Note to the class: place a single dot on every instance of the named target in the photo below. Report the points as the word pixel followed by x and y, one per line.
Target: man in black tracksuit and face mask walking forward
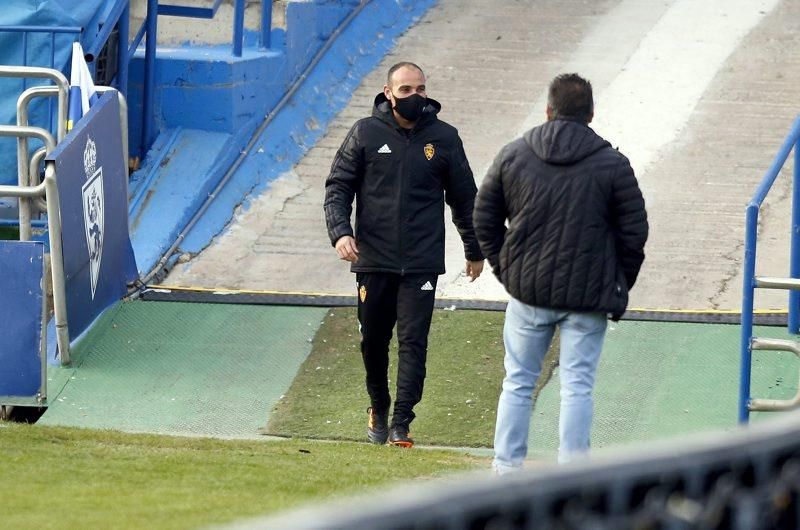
pixel 401 165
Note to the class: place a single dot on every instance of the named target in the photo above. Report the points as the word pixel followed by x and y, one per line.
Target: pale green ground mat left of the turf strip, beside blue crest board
pixel 178 368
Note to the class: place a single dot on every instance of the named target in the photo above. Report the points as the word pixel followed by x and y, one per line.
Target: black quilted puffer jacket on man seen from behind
pixel 577 223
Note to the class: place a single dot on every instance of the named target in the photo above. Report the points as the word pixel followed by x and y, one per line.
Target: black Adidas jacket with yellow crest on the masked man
pixel 401 181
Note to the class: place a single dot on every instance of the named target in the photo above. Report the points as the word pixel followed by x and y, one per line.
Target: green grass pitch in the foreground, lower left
pixel 72 478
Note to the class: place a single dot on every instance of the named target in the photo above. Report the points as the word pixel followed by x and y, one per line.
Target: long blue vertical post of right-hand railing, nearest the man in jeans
pixel 748 291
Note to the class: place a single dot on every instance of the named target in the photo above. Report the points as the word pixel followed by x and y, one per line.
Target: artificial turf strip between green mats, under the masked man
pixel 464 374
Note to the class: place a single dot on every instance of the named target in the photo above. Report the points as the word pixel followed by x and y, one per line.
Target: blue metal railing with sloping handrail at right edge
pixel 750 282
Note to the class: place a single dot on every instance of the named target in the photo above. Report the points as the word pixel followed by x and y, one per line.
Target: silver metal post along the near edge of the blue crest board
pixel 57 262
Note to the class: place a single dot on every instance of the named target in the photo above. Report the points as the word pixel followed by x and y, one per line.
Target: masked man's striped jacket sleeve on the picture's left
pixel 341 186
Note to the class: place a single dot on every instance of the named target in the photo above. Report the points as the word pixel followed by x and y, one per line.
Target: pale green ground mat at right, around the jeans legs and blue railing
pixel 661 379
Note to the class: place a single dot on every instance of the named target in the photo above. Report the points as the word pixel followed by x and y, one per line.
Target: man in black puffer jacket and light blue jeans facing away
pixel 570 254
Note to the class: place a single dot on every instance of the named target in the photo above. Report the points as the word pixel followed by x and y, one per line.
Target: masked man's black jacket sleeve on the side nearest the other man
pixel 460 190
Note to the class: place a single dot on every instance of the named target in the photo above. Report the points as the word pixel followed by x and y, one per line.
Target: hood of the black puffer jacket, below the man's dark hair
pixel 563 141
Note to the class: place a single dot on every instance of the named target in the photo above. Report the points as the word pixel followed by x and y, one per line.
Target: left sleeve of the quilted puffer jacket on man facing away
pixel 490 214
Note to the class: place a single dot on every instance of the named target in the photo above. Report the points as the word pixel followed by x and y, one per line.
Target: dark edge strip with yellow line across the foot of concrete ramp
pixel 209 296
